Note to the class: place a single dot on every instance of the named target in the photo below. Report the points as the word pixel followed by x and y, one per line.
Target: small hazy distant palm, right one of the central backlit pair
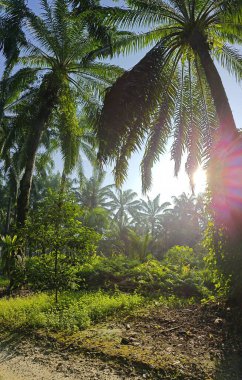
pixel 152 211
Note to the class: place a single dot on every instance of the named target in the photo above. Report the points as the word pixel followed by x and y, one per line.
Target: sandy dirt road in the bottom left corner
pixel 21 360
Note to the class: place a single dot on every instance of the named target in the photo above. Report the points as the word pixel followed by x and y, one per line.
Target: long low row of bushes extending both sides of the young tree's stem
pixel 182 272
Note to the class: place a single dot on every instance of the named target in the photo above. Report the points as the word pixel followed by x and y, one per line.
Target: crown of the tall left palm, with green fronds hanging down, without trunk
pixel 57 50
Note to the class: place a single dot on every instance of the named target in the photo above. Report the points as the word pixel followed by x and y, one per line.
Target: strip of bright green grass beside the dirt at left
pixel 74 310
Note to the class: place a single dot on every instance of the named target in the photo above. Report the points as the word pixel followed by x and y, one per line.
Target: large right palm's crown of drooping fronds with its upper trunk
pixel 177 77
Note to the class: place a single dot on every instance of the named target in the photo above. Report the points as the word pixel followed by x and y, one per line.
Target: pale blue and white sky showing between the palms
pixel 164 181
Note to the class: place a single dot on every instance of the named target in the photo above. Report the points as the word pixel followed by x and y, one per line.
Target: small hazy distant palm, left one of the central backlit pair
pixel 122 204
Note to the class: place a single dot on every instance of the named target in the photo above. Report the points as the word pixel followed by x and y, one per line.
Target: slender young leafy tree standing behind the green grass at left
pixel 58 241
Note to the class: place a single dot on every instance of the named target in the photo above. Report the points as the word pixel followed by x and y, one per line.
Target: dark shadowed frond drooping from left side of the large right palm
pixel 128 103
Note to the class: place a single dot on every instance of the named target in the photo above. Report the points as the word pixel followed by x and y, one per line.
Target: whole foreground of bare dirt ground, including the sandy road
pixel 195 342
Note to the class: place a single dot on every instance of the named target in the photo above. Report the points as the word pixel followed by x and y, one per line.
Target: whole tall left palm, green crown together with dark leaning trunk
pixel 58 51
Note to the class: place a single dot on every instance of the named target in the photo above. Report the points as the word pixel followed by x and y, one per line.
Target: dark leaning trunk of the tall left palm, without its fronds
pixel 44 104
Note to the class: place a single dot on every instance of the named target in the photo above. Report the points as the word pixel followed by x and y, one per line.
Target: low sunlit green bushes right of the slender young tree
pixel 181 272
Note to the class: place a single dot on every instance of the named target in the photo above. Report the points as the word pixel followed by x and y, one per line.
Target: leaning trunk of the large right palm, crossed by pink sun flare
pixel 225 176
